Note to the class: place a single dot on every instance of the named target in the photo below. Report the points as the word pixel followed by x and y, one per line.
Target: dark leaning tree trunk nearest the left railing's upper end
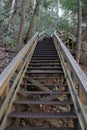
pixel 32 21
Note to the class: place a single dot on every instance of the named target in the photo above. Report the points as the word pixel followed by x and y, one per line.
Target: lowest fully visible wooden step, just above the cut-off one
pixel 43 115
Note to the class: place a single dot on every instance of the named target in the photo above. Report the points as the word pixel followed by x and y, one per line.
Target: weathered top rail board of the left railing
pixel 11 68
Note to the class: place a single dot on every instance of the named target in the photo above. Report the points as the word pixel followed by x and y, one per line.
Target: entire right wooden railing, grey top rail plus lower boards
pixel 75 78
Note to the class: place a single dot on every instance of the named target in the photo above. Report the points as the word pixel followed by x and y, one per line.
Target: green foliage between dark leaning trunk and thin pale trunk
pixel 47 16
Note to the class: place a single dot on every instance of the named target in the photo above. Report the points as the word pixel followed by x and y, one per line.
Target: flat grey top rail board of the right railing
pixel 77 71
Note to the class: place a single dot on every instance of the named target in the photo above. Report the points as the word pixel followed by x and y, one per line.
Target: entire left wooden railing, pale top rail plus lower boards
pixel 24 57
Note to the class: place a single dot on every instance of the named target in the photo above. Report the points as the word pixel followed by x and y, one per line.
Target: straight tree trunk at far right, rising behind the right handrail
pixel 79 31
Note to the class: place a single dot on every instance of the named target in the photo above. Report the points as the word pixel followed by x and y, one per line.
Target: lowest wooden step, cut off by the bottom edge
pixel 38 128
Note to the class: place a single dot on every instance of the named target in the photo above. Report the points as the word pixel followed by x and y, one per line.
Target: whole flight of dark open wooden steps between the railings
pixel 44 101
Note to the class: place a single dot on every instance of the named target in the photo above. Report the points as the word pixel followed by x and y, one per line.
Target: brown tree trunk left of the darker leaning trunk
pixel 21 29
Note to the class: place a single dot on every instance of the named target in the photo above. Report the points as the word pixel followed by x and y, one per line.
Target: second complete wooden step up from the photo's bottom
pixel 27 102
